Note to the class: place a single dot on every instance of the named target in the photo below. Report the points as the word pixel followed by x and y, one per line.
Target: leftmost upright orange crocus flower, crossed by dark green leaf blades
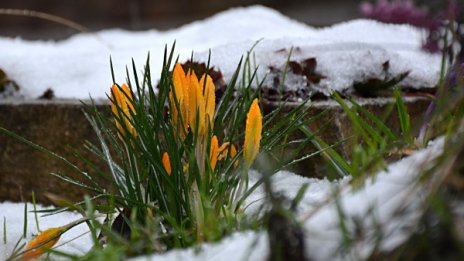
pixel 122 99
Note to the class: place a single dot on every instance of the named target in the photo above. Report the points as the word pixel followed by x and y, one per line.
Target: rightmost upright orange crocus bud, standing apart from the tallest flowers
pixel 253 131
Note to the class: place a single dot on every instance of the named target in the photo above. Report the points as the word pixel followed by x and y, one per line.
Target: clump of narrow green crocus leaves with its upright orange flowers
pixel 178 159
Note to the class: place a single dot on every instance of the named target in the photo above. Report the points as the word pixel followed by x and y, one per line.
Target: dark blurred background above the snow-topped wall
pixel 155 14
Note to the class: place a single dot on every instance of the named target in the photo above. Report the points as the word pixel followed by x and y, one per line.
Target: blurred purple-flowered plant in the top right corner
pixel 445 22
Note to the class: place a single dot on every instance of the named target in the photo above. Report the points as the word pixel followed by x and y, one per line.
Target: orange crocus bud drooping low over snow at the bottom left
pixel 42 243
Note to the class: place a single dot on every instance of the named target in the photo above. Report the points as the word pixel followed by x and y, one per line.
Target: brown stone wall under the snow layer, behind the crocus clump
pixel 60 126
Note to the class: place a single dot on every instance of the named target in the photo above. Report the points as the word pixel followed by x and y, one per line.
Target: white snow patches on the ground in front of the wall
pixel 373 207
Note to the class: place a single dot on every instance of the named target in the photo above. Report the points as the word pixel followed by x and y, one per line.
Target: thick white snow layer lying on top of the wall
pixel 346 53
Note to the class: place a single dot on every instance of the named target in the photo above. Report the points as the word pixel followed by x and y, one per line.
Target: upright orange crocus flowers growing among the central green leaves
pixel 193 105
